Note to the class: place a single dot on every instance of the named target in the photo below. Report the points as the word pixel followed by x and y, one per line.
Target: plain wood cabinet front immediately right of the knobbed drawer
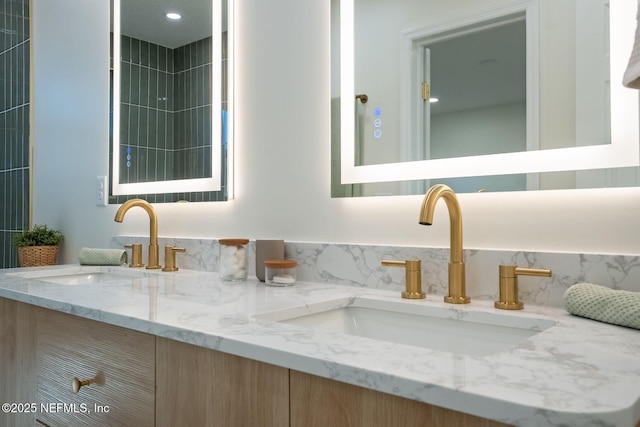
pixel 202 387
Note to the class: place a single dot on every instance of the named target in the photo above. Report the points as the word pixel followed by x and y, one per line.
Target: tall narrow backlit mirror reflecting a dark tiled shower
pixel 172 103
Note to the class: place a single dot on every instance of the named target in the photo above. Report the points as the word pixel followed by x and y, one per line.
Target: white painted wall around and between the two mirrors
pixel 283 152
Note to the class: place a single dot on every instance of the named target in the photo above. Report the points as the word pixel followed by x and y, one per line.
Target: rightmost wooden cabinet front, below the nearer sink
pixel 320 402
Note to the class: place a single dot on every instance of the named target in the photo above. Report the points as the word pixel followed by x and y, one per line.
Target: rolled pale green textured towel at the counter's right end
pixel 604 304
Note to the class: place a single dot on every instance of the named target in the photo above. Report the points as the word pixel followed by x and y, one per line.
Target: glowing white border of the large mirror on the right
pixel 624 150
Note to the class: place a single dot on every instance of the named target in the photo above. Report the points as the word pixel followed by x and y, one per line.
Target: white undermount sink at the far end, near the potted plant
pixel 79 275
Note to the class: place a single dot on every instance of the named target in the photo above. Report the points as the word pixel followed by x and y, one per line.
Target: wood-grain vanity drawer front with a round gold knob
pixel 119 362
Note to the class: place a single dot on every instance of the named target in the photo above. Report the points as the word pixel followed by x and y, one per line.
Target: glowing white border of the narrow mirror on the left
pixel 212 183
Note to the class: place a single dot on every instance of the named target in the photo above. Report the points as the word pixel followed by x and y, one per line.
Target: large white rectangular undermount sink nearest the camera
pixel 455 330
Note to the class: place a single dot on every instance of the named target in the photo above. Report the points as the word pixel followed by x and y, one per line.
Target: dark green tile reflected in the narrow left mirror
pixel 165 117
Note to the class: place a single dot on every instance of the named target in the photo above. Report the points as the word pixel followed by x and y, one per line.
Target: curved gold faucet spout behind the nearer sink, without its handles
pixel 457 290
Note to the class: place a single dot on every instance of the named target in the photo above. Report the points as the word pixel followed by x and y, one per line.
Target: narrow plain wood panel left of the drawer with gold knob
pixel 17 360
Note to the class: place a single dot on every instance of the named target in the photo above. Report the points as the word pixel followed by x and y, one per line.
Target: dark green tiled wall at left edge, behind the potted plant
pixel 14 125
